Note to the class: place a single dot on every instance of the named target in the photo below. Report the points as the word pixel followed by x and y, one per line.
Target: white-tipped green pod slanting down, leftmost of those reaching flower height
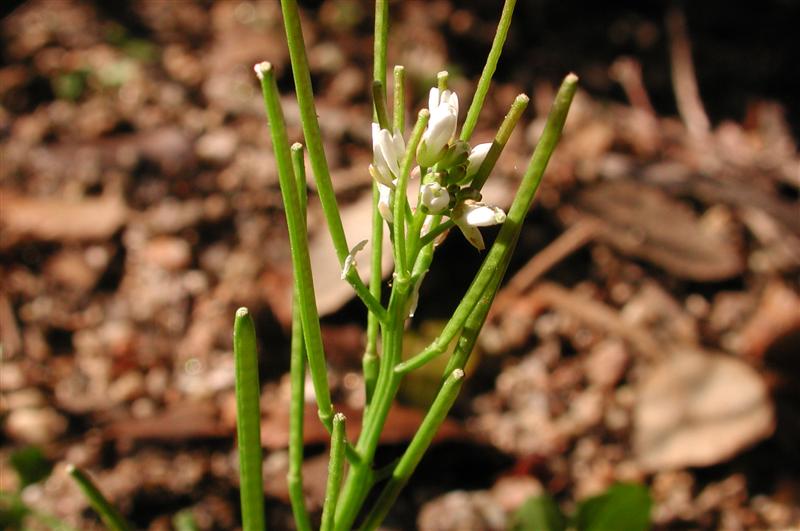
pixel 298 241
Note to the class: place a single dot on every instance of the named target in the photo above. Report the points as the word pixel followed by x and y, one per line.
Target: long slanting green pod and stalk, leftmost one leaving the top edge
pixel 316 152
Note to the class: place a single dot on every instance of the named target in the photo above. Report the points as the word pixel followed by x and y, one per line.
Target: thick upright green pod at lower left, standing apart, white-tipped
pixel 248 421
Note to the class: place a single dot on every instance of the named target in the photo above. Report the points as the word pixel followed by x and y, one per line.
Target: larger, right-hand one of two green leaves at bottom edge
pixel 623 507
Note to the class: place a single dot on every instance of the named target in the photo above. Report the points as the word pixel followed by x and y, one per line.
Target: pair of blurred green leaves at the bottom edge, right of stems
pixel 623 507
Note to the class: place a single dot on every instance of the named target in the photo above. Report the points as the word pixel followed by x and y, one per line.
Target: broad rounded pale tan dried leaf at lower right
pixel 699 409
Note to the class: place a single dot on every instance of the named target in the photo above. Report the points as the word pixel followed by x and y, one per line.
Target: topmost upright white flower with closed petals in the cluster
pixel 441 128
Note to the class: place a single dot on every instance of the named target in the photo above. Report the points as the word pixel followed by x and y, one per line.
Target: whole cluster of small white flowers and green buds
pixel 447 167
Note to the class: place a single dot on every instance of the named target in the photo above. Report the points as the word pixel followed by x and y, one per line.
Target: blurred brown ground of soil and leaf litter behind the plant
pixel 648 331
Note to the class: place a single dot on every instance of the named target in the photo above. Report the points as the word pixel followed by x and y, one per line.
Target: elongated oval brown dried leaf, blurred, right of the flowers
pixel 641 221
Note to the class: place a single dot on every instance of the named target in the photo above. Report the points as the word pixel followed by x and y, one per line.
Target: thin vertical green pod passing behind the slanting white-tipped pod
pixel 297 372
